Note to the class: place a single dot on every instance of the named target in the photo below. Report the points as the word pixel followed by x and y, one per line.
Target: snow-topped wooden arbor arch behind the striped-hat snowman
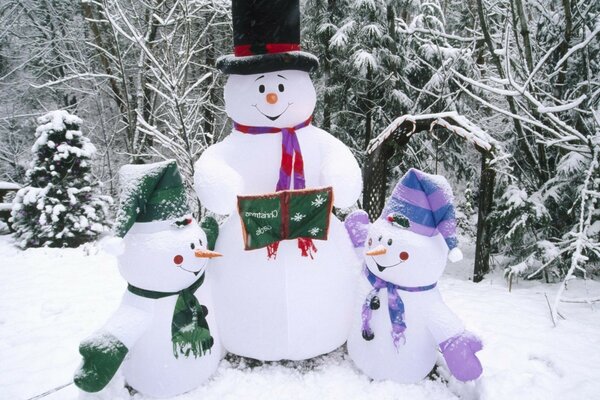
pixel 400 131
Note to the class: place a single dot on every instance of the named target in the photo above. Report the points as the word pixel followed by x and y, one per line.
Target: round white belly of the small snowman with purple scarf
pixel 379 358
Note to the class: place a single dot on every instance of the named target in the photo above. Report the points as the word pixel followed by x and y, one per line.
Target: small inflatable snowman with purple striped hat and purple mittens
pixel 403 320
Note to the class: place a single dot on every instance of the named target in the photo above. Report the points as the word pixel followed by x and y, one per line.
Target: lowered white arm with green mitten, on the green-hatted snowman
pixel 104 351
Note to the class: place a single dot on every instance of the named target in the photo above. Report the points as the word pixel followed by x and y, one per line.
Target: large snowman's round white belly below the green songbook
pixel 290 307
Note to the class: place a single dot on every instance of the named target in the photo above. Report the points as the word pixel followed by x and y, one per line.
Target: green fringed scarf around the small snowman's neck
pixel 189 330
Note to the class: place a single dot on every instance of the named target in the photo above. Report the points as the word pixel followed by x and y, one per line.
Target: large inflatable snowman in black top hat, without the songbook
pixel 297 303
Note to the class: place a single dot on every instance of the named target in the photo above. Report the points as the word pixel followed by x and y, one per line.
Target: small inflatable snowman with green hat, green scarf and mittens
pixel 162 339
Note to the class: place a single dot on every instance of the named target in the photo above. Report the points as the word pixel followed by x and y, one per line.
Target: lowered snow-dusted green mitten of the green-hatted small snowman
pixel 102 357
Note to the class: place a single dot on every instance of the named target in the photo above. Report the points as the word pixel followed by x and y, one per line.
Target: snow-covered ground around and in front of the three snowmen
pixel 50 299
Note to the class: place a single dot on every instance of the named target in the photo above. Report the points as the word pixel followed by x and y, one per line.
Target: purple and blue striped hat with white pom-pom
pixel 424 200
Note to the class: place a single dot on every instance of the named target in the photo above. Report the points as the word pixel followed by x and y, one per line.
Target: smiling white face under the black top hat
pixel 278 99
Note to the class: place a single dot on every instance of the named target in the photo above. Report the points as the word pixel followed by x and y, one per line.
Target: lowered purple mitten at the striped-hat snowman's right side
pixel 459 353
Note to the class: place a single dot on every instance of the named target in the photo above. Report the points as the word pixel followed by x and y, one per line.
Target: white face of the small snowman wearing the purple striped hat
pixel 402 257
